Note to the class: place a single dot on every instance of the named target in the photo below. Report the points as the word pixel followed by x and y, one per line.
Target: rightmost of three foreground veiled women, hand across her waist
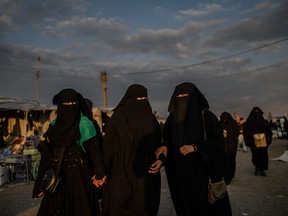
pixel 194 138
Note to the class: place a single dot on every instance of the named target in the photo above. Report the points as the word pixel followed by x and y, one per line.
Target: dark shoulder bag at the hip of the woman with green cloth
pixel 49 182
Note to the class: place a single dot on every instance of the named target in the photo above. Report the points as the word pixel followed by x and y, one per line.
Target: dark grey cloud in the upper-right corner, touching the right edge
pixel 256 28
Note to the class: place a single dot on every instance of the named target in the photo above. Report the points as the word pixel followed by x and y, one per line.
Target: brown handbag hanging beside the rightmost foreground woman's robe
pixel 216 191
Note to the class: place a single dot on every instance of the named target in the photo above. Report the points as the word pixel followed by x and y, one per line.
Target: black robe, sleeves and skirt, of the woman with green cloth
pixel 76 194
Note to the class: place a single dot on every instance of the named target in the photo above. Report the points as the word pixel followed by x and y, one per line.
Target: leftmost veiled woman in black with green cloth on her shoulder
pixel 72 129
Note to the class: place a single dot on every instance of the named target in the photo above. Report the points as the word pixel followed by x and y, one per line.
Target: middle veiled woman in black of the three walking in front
pixel 132 136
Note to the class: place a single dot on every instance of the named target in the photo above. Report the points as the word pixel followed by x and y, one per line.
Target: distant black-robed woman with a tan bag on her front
pixel 256 126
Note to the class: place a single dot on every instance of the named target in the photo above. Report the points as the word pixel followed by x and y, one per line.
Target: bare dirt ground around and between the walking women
pixel 249 195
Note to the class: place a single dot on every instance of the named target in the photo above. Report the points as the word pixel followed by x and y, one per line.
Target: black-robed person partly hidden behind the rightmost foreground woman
pixel 231 133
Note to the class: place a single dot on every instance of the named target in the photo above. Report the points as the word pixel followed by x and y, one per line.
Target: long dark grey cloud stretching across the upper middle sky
pixel 114 35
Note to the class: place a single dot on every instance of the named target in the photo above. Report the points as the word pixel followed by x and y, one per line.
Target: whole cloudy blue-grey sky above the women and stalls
pixel 236 52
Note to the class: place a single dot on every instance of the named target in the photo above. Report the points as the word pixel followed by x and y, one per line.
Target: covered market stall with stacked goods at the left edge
pixel 23 124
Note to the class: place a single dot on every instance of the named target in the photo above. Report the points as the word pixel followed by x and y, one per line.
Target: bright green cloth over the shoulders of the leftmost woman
pixel 87 130
